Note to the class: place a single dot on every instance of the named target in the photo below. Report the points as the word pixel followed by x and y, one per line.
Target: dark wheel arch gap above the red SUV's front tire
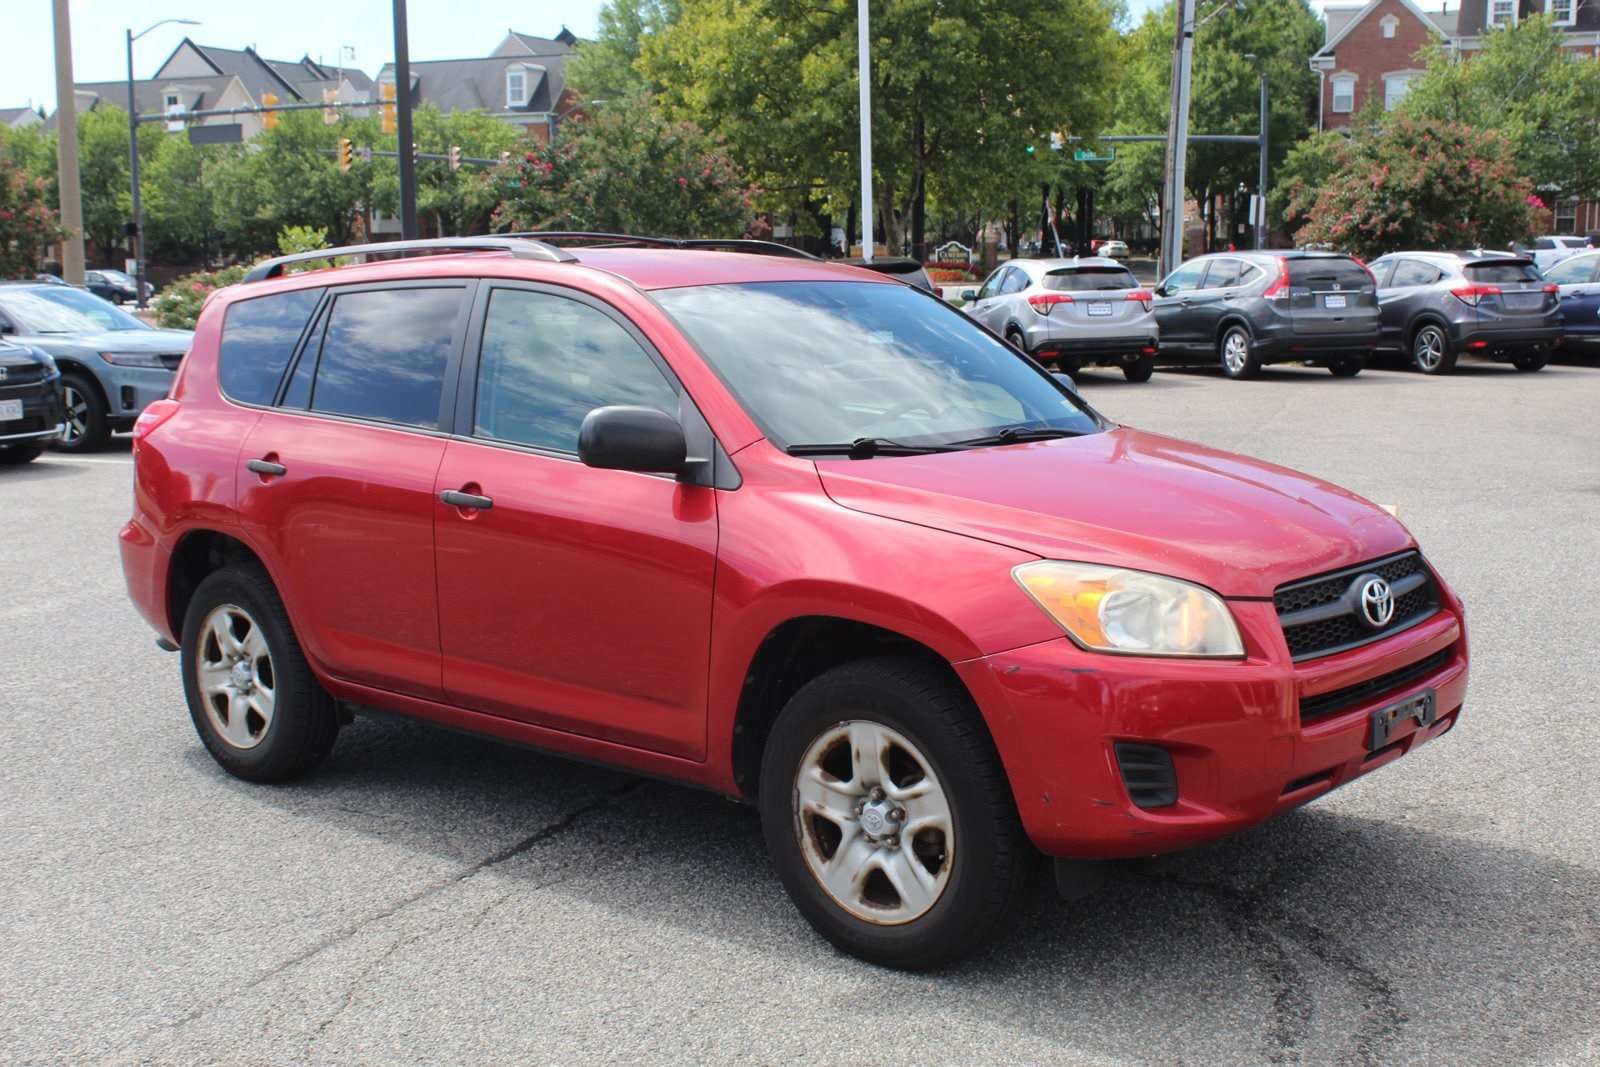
pixel 790 657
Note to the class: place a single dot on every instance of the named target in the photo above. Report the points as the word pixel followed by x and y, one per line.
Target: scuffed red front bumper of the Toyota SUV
pixel 1233 730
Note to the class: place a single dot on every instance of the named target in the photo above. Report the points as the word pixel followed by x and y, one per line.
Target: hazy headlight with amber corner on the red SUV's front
pixel 1113 610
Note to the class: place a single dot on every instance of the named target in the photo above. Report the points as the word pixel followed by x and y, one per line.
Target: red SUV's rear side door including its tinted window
pixel 337 481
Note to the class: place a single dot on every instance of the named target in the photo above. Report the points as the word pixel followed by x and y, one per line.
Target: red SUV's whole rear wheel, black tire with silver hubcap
pixel 239 639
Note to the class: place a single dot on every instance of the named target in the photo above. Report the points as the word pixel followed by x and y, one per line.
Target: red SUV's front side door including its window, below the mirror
pixel 570 597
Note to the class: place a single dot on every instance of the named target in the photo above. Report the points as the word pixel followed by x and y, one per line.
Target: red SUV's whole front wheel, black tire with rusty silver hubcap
pixel 970 847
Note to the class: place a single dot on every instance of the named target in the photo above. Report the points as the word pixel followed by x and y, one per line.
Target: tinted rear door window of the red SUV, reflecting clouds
pixel 385 354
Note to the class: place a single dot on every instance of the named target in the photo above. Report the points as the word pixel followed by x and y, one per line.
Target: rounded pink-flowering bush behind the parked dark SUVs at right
pixel 1418 186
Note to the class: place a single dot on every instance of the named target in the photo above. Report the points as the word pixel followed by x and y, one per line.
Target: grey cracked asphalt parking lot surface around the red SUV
pixel 439 900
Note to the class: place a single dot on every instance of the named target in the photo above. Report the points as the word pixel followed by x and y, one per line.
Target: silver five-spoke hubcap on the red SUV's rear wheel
pixel 234 669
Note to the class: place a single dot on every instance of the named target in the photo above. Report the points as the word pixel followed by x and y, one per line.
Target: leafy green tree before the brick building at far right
pixel 1522 84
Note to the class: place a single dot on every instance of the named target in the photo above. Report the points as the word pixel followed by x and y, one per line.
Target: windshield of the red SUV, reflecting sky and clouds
pixel 841 362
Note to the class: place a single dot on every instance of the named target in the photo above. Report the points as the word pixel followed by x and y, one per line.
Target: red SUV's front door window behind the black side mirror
pixel 548 362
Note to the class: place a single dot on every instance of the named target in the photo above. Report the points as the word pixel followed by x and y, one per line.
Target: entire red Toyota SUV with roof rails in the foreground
pixel 780 529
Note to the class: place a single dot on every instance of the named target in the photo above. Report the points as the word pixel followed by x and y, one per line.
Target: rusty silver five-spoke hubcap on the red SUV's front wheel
pixel 874 823
